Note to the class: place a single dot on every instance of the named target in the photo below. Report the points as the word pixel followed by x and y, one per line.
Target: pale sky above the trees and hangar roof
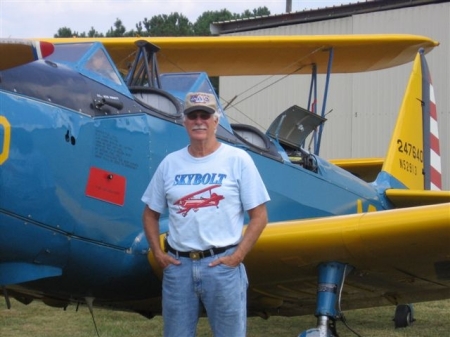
pixel 39 18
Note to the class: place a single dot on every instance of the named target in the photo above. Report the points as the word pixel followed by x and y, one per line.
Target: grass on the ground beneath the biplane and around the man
pixel 39 320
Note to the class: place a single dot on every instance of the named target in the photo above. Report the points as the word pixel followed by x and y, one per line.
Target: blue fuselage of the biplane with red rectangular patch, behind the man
pixel 73 167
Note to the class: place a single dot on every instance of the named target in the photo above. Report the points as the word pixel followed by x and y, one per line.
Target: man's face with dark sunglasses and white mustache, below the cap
pixel 200 125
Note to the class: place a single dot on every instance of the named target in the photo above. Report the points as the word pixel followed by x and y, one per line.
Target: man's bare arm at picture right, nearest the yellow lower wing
pixel 258 221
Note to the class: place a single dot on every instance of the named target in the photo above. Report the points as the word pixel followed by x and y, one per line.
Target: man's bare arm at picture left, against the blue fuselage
pixel 150 219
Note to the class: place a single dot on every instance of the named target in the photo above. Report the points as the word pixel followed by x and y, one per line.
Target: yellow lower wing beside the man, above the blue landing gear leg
pixel 399 256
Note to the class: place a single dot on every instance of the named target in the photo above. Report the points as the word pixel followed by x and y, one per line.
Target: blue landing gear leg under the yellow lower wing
pixel 331 281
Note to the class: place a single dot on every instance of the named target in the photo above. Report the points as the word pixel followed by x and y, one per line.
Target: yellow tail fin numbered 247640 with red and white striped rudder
pixel 413 159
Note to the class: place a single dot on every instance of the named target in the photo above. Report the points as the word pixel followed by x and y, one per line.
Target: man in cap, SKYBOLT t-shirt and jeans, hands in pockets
pixel 205 248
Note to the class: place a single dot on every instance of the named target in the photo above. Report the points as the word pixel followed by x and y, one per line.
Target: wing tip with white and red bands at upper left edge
pixel 14 53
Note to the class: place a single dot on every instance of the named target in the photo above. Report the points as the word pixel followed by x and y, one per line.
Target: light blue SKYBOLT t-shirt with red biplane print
pixel 206 197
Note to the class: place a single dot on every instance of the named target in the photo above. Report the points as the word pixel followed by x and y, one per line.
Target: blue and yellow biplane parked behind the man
pixel 84 125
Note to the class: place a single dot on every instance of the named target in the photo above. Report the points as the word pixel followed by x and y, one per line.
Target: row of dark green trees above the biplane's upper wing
pixel 175 24
